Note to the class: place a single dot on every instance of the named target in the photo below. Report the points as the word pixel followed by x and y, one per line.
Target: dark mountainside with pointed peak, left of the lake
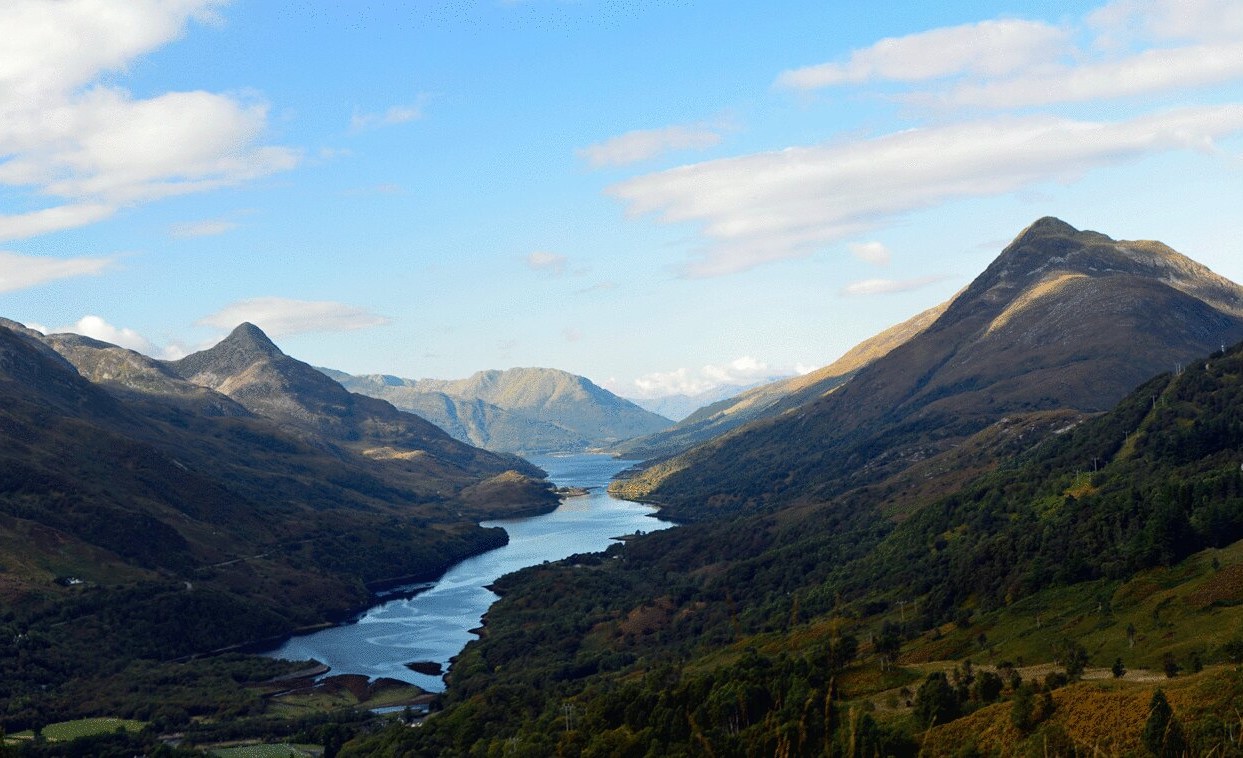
pixel 136 506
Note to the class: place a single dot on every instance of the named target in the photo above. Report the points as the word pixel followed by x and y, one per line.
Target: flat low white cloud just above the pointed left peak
pixel 279 316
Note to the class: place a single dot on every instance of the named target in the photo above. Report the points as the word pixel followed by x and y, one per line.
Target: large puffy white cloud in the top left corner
pixel 88 148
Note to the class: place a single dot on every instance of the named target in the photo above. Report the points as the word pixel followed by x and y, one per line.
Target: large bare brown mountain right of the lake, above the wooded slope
pixel 1063 320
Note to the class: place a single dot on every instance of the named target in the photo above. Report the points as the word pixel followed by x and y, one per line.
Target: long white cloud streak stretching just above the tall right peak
pixel 779 206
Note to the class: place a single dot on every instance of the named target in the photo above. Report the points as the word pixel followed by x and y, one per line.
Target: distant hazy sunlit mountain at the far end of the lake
pixel 516 411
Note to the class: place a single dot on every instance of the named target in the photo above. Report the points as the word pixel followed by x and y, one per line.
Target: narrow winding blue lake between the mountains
pixel 434 624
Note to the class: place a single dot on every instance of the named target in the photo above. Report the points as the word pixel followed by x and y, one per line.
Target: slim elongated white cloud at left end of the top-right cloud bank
pixel 988 48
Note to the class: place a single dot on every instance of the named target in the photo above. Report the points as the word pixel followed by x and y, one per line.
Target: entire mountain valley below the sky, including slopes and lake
pixel 1006 526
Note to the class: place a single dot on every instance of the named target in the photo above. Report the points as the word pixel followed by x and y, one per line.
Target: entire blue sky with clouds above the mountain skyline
pixel 661 196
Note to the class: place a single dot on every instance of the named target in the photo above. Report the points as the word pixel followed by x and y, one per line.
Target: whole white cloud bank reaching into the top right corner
pixel 1014 64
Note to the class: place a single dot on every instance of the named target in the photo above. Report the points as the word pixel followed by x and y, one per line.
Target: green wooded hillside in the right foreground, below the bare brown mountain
pixel 1111 552
